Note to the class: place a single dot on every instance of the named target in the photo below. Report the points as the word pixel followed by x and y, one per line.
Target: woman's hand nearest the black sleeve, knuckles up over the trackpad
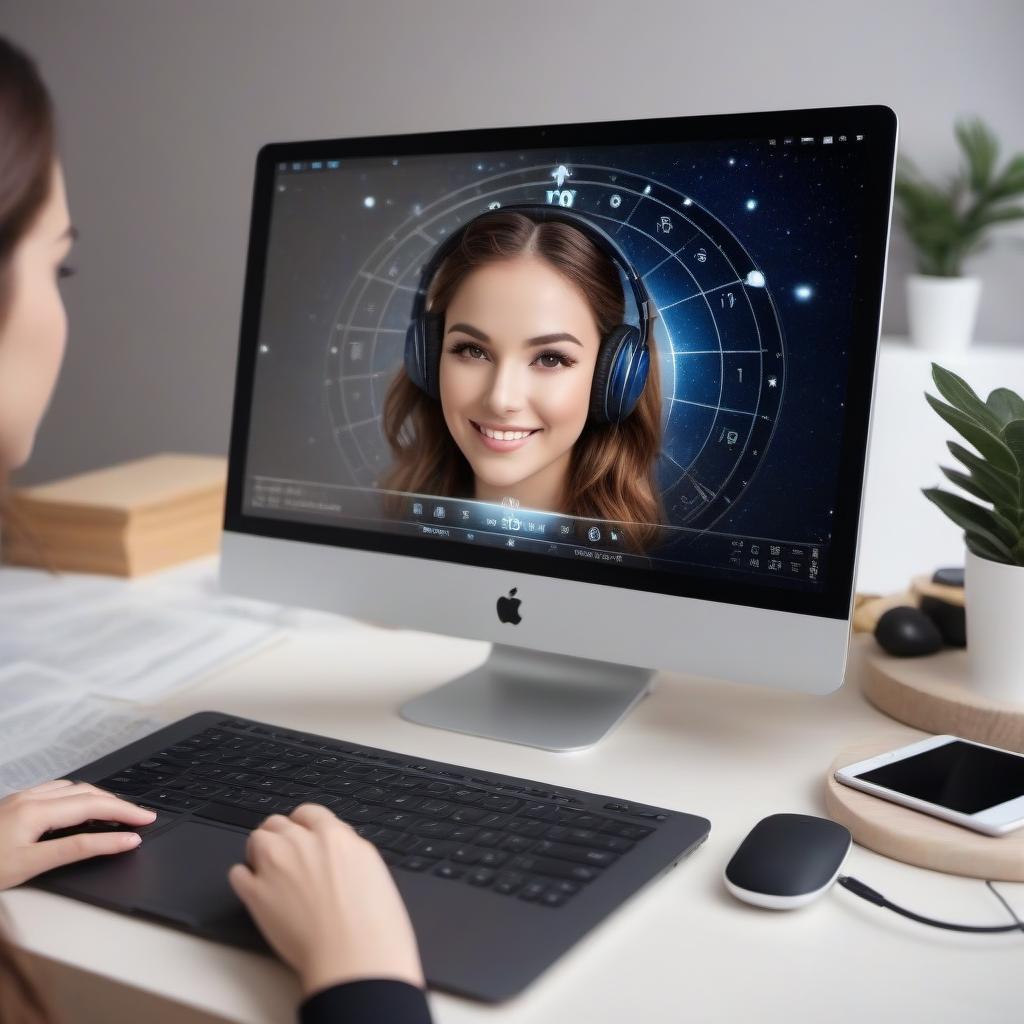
pixel 326 902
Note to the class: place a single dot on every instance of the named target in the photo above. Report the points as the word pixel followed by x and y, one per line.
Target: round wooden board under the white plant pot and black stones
pixel 933 694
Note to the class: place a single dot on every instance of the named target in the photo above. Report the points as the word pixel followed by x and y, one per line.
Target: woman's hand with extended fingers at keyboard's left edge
pixel 26 817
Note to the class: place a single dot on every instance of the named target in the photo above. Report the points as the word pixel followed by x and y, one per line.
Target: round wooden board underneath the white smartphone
pixel 915 838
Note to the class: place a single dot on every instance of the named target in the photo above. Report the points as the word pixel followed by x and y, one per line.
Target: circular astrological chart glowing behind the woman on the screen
pixel 720 346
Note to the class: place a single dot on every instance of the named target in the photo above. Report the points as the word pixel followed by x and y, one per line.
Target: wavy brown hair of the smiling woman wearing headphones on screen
pixel 612 473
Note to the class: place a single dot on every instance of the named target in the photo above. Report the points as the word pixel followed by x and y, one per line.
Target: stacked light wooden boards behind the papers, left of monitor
pixel 124 521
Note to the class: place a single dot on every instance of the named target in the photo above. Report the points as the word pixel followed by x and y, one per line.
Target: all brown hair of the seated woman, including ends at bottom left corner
pixel 27 153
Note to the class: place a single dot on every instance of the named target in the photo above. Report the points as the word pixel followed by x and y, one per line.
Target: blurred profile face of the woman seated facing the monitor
pixel 34 328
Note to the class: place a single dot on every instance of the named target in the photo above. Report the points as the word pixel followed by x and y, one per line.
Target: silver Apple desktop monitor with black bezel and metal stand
pixel 599 394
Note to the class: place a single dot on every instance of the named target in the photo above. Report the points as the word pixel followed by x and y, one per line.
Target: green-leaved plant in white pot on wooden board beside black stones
pixel 993 475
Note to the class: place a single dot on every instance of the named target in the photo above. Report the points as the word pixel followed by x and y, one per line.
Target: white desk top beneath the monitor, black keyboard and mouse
pixel 681 951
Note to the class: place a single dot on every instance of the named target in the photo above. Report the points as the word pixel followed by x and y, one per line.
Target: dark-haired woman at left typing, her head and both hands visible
pixel 322 895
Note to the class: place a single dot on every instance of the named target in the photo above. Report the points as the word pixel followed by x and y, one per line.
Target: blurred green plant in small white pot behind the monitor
pixel 947 224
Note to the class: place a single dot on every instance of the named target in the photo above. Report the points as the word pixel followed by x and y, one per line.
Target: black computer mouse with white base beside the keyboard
pixel 788 861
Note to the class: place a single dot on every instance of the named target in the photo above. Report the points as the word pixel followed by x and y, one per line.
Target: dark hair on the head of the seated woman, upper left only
pixel 27 154
